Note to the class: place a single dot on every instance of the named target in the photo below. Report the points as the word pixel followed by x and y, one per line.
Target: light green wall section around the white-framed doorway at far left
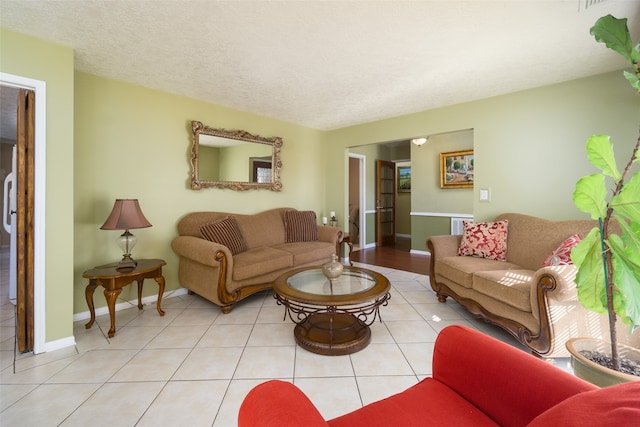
pixel 39 60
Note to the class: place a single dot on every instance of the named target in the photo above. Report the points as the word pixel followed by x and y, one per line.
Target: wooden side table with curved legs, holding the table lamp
pixel 113 280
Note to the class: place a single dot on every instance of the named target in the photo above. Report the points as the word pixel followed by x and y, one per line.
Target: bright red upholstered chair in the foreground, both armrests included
pixel 477 381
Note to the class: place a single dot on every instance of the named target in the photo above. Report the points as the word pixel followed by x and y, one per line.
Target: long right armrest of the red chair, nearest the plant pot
pixel 508 384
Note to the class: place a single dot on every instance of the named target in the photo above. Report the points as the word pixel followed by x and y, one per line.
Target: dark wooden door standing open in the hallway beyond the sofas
pixel 385 203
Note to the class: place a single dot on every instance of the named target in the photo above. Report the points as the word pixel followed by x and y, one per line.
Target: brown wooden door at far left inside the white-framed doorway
pixel 25 143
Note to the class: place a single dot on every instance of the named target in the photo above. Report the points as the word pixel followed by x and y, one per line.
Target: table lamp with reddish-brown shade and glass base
pixel 126 215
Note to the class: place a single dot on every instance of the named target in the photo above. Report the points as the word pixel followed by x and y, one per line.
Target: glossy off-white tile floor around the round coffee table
pixel 195 365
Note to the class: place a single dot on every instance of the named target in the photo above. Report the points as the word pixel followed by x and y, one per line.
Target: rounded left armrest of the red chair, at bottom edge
pixel 278 404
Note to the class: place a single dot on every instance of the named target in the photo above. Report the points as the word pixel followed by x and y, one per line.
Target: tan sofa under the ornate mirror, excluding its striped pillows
pixel 212 271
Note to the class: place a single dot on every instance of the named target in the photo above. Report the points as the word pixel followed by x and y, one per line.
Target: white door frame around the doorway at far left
pixel 40 89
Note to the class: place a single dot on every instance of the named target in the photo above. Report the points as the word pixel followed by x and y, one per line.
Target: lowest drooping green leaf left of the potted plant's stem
pixel 590 280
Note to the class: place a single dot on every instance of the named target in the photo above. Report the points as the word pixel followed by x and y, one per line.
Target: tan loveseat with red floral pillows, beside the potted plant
pixel 536 305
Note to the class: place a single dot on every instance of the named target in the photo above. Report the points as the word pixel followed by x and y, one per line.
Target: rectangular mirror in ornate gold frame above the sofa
pixel 234 159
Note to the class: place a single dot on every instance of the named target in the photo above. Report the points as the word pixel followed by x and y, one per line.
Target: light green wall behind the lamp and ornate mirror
pixel 133 142
